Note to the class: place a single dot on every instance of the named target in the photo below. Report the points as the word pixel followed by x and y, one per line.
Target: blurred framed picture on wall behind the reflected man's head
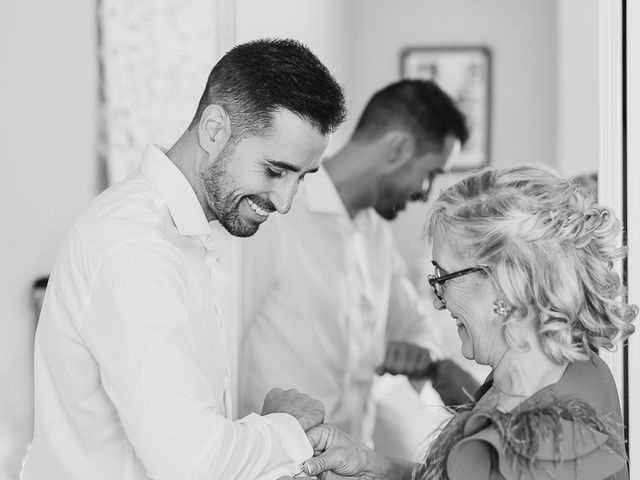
pixel 465 74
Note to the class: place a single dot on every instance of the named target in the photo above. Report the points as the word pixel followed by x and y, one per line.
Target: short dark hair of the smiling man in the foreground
pixel 255 79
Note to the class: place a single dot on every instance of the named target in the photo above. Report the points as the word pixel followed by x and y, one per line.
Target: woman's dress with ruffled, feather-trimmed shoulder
pixel 553 434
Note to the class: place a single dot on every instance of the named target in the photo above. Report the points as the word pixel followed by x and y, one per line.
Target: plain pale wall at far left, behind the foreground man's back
pixel 47 123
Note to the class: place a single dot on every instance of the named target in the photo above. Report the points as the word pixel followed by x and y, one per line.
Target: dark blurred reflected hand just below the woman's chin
pixel 454 384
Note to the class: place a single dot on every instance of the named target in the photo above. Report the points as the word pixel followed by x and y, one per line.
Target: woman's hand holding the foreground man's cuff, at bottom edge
pixel 339 456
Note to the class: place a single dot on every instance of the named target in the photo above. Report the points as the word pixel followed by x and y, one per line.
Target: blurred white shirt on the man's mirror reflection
pixel 322 294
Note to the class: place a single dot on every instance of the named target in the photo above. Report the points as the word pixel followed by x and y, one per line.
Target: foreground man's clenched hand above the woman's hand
pixel 308 411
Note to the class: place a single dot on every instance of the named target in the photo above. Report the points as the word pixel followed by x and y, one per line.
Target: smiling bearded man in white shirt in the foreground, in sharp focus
pixel 131 368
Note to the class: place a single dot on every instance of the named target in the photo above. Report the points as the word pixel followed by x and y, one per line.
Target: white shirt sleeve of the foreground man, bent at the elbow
pixel 136 325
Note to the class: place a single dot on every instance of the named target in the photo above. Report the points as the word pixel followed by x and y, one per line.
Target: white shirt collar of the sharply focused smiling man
pixel 177 192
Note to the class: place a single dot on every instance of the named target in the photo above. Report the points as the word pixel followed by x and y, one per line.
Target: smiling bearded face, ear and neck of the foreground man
pixel 241 181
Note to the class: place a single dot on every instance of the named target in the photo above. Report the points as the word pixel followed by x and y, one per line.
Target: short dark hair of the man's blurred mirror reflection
pixel 419 107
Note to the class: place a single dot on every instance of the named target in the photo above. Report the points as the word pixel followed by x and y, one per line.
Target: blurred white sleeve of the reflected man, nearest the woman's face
pixel 408 318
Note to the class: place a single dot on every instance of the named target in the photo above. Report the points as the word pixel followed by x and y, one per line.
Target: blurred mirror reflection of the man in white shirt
pixel 327 278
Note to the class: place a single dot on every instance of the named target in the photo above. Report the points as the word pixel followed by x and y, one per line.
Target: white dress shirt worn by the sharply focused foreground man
pixel 131 363
